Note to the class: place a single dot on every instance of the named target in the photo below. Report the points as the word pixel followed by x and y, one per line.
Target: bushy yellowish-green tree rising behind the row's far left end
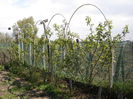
pixel 25 31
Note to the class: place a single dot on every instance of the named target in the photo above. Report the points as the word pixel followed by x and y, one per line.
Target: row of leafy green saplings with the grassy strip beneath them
pixel 98 46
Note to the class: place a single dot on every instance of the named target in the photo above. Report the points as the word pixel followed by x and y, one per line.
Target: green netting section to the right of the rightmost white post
pixel 124 61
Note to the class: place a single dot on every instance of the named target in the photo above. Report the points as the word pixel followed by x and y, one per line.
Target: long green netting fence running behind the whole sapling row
pixel 76 63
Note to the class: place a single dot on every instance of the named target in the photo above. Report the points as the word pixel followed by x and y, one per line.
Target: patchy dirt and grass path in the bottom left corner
pixel 16 88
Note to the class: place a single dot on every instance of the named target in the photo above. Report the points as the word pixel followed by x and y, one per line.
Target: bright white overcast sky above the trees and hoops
pixel 119 11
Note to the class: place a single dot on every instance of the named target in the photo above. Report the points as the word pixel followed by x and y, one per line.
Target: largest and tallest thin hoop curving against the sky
pixel 88 4
